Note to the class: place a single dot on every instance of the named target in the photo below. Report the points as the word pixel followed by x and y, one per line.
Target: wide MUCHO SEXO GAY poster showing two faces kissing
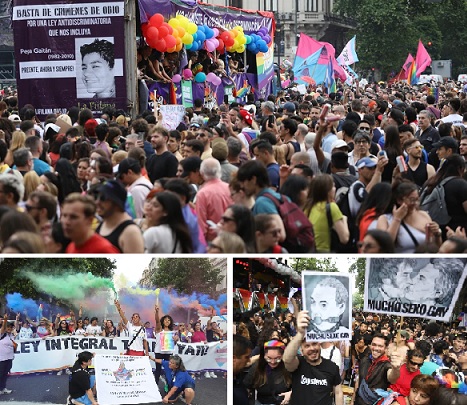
pixel 416 287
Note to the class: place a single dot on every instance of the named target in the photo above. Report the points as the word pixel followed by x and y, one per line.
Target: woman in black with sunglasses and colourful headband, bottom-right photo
pixel 268 376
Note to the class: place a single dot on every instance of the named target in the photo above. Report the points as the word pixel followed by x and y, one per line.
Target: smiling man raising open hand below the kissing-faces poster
pixel 377 371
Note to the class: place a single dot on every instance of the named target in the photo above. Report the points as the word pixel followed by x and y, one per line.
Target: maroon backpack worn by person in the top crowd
pixel 299 231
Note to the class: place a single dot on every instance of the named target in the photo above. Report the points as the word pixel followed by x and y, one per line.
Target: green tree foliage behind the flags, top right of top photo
pixel 388 31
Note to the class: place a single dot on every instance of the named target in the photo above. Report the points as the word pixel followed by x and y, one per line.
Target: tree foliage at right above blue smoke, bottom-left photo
pixel 185 276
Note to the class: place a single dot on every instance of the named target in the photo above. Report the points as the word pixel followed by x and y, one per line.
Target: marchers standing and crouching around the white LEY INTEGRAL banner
pixel 134 329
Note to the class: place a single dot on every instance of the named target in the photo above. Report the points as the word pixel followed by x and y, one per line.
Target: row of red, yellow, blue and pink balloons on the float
pixel 171 36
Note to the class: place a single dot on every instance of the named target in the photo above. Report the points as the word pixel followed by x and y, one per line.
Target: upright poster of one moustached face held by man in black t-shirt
pixel 328 300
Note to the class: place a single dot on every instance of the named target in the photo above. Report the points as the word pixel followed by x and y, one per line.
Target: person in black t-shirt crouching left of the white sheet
pixel 81 382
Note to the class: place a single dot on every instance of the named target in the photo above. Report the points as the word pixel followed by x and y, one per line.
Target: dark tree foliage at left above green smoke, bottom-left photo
pixel 13 279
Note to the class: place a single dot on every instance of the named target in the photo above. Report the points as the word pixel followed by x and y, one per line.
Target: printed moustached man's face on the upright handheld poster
pixel 324 309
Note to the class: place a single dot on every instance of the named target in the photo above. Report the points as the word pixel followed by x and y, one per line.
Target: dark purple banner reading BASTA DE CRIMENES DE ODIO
pixel 69 54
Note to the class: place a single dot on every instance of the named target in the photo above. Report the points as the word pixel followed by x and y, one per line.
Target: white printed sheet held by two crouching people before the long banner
pixel 125 379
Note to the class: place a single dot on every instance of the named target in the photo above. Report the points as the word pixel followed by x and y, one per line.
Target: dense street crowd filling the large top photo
pixel 377 168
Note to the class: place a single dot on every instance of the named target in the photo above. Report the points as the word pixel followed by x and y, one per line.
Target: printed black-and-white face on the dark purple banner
pixel 98 77
